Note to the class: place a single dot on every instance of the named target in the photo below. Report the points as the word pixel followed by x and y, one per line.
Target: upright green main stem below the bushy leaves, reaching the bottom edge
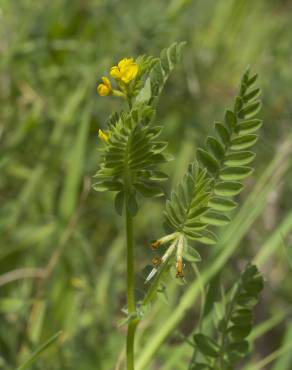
pixel 130 291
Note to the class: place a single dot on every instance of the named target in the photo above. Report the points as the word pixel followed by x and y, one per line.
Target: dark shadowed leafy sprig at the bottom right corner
pixel 229 343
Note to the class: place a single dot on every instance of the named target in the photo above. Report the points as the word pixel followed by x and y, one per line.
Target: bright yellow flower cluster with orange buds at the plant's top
pixel 124 73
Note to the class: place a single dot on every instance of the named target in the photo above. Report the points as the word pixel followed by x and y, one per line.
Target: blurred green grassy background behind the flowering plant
pixel 62 252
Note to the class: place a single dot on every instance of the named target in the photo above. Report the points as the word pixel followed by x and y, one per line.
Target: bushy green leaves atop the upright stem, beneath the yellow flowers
pixel 133 151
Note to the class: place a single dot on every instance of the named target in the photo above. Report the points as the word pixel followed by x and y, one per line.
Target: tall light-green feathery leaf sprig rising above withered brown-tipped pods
pixel 204 197
